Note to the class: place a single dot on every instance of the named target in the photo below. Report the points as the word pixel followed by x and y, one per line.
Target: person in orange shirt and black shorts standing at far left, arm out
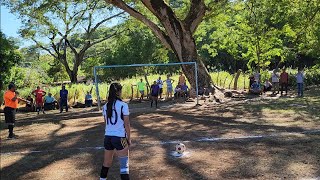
pixel 11 100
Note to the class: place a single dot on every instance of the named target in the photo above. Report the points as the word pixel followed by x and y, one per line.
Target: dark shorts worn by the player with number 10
pixel 114 142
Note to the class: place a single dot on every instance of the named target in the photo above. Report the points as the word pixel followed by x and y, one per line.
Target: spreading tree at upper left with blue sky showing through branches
pixel 50 24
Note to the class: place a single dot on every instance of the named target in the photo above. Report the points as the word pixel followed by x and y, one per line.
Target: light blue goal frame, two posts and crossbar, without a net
pixel 143 65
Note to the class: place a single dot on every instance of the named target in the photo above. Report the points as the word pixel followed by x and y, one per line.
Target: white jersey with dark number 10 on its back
pixel 115 124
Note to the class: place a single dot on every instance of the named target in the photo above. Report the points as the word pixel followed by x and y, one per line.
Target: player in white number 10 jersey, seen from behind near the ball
pixel 117 132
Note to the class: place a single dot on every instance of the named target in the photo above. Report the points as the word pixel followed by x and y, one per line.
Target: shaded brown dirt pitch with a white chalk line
pixel 253 138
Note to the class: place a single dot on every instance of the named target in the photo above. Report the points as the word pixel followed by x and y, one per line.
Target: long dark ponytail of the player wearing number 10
pixel 114 90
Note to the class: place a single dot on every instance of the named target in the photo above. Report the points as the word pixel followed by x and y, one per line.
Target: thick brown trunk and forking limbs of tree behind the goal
pixel 174 33
